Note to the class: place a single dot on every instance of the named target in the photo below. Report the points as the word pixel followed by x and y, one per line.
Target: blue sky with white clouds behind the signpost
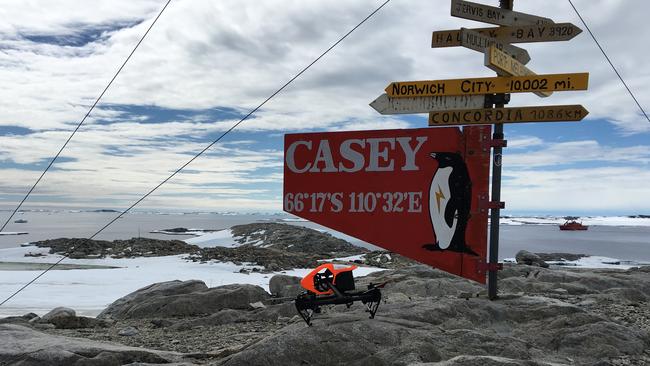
pixel 207 63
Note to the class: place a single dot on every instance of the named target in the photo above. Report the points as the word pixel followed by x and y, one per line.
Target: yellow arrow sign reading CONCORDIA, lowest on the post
pixel 556 113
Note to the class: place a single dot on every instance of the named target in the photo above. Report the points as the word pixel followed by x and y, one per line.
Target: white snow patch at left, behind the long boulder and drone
pixel 89 291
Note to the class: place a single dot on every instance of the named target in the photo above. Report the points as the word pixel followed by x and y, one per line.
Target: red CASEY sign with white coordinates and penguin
pixel 421 193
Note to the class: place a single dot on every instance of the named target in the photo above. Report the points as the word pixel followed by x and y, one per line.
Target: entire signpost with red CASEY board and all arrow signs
pixel 434 182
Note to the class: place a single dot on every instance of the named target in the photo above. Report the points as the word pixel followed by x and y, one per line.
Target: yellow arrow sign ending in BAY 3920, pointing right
pixel 514 34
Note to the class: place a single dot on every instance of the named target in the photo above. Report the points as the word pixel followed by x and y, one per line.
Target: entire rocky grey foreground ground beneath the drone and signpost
pixel 545 316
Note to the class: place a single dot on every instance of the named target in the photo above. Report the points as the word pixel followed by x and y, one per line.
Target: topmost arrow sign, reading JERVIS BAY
pixel 493 15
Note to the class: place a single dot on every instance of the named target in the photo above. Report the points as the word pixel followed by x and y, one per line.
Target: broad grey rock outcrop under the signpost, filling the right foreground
pixel 429 322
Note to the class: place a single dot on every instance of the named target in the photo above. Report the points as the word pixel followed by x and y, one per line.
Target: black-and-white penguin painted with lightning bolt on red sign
pixel 449 203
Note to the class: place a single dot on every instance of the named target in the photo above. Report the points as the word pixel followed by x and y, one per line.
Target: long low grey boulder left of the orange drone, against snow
pixel 182 298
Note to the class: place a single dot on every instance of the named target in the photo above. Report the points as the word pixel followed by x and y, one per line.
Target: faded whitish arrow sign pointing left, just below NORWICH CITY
pixel 387 105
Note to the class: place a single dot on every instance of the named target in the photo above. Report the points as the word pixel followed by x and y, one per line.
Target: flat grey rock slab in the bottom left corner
pixel 21 345
